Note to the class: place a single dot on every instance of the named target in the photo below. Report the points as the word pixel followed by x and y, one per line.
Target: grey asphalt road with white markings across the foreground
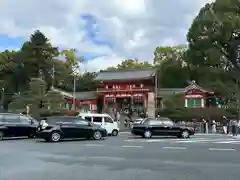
pixel 123 157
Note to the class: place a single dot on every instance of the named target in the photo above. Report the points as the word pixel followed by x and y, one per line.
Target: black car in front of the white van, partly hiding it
pixel 56 128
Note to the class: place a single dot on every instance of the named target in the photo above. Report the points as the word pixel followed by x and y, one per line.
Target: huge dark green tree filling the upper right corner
pixel 211 55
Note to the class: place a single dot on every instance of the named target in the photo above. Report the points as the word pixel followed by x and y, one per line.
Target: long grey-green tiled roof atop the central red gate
pixel 125 74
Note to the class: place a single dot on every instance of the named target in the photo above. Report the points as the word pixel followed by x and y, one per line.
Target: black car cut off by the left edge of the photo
pixel 17 125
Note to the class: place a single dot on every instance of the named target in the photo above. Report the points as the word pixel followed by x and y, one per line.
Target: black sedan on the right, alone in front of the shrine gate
pixel 161 127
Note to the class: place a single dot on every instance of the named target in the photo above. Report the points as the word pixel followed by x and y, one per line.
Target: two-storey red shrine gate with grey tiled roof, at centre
pixel 126 91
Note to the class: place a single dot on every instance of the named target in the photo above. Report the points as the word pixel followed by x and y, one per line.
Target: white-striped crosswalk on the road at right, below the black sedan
pixel 192 140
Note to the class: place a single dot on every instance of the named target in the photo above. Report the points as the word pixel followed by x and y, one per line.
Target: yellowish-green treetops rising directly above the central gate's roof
pixel 131 64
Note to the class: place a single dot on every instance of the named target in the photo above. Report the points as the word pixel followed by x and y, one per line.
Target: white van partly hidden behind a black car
pixel 104 120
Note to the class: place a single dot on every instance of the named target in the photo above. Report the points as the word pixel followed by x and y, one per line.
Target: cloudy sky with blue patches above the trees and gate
pixel 105 32
